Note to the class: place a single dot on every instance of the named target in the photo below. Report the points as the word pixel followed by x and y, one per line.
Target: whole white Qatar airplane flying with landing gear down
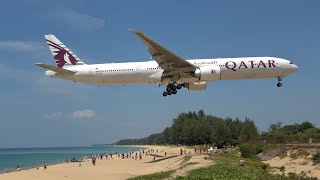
pixel 165 68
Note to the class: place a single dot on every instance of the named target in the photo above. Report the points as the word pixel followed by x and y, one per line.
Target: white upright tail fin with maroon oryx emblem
pixel 62 55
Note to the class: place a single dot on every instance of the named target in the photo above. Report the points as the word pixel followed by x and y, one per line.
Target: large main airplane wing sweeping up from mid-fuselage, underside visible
pixel 166 59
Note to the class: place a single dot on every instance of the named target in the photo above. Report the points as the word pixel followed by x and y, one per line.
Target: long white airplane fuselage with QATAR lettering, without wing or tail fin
pixel 150 73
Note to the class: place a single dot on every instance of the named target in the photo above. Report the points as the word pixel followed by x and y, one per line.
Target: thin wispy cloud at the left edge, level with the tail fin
pixel 21 46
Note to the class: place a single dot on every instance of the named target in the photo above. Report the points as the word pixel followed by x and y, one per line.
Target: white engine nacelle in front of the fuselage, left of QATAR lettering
pixel 208 73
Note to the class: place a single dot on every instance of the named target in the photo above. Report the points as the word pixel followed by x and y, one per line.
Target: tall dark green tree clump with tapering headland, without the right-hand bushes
pixel 198 128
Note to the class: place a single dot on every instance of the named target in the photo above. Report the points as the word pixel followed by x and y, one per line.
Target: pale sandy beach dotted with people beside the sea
pixel 116 168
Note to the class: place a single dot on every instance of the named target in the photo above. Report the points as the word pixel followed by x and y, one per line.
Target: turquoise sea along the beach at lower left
pixel 26 158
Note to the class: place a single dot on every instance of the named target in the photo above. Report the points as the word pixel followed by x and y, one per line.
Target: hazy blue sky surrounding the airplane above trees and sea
pixel 39 111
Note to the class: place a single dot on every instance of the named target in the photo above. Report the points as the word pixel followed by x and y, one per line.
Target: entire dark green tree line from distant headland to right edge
pixel 199 128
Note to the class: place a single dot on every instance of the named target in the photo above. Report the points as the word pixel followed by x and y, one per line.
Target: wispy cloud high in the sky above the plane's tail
pixel 78 20
